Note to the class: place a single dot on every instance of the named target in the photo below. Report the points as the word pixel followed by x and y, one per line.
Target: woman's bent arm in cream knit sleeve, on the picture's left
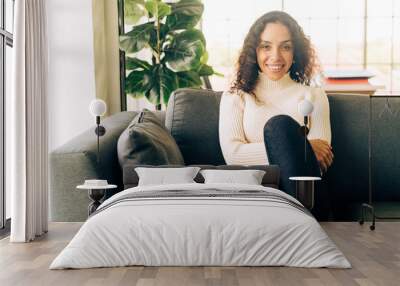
pixel 235 148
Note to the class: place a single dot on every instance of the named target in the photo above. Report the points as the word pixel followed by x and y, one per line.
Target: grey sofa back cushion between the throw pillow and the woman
pixel 192 117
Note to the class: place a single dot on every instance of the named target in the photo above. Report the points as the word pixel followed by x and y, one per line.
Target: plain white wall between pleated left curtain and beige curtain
pixel 71 68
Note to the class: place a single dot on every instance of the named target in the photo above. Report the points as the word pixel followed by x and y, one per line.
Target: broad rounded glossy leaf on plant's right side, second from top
pixel 185 51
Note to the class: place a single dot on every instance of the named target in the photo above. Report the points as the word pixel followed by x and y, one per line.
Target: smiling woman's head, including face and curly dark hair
pixel 275 49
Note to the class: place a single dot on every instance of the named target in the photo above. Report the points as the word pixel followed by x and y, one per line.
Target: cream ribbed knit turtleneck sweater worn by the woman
pixel 242 117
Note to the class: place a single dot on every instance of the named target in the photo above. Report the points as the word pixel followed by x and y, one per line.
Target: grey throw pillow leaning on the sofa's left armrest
pixel 147 141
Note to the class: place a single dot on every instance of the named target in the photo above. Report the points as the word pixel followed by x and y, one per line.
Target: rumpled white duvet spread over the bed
pixel 200 231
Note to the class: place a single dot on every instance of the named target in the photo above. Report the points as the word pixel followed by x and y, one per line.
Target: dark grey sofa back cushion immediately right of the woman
pixel 349 123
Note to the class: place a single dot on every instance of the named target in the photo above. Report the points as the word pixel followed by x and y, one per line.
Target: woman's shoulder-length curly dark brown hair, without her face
pixel 305 60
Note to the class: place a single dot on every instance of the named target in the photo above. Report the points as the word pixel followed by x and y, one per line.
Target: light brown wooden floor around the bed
pixel 375 256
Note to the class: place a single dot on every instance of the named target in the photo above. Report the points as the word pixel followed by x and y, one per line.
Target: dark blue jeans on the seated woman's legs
pixel 285 147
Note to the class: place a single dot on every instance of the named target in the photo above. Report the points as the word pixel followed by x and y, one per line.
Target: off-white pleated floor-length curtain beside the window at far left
pixel 29 163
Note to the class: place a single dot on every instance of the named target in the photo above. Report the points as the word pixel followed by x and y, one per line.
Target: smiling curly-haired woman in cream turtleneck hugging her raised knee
pixel 259 118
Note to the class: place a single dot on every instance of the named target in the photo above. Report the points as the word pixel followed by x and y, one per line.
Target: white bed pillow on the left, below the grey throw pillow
pixel 165 176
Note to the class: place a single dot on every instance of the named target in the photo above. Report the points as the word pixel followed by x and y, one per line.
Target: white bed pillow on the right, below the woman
pixel 248 177
